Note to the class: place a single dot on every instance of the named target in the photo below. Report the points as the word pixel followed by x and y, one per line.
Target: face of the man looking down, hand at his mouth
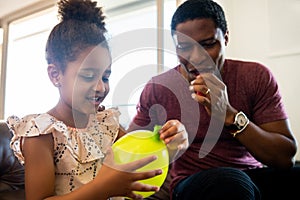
pixel 200 46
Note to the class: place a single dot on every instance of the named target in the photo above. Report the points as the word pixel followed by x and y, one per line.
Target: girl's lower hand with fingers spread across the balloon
pixel 123 180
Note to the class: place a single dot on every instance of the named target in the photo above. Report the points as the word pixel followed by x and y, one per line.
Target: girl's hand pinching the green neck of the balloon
pixel 174 135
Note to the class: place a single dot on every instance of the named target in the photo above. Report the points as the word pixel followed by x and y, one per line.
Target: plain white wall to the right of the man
pixel 267 31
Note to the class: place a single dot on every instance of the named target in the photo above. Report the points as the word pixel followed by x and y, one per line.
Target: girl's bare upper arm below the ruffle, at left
pixel 39 167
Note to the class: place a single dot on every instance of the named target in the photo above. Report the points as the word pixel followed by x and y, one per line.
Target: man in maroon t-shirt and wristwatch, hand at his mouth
pixel 241 145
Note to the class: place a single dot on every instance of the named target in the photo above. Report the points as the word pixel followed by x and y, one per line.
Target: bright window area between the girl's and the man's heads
pixel 134 50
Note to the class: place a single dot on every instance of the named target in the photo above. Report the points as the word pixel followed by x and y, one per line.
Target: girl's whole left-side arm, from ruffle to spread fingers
pixel 112 179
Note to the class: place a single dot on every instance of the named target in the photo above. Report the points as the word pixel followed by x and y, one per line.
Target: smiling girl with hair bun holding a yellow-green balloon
pixel 66 151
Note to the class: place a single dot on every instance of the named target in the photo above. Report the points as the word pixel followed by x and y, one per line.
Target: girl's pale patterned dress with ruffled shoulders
pixel 78 153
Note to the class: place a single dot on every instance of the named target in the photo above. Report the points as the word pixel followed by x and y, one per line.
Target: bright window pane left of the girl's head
pixel 28 89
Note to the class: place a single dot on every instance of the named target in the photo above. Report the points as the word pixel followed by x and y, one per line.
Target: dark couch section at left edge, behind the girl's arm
pixel 11 171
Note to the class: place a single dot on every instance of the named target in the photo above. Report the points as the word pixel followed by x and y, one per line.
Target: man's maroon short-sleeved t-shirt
pixel 251 88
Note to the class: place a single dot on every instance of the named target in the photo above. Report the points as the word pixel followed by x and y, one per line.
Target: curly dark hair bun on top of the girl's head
pixel 82 10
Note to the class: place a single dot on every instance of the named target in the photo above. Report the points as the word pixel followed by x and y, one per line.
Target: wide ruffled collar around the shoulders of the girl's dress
pixel 84 145
